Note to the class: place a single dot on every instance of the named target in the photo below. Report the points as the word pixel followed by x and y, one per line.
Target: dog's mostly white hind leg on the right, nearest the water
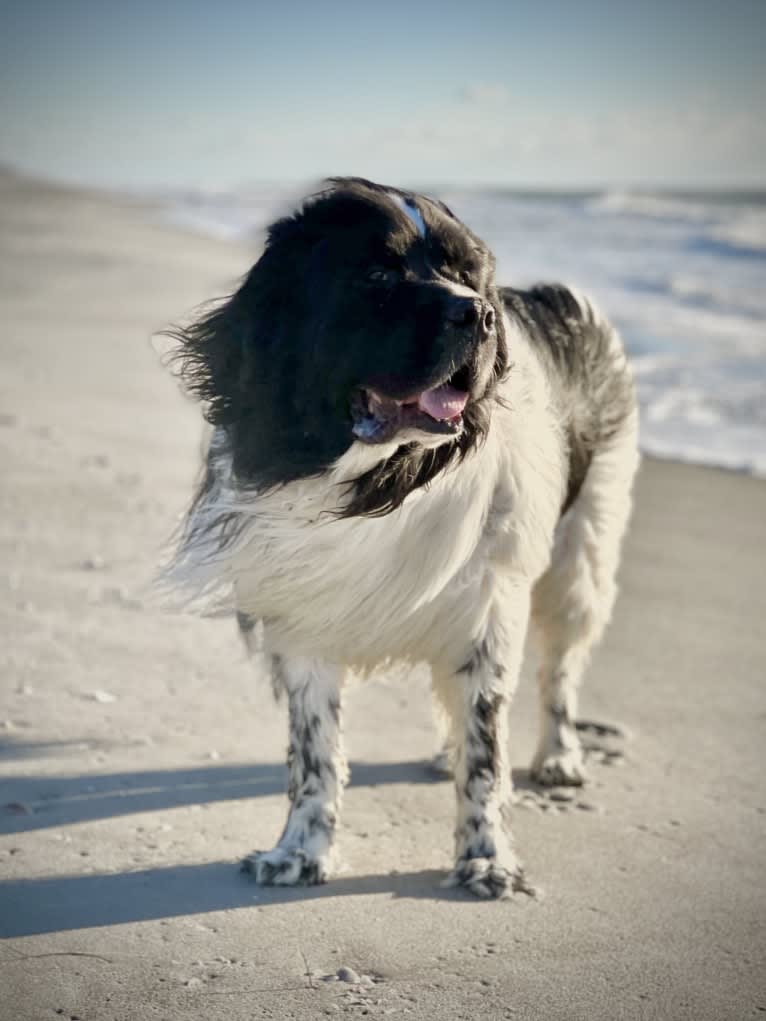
pixel 573 601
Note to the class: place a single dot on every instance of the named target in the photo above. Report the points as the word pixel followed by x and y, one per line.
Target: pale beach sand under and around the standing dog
pixel 142 757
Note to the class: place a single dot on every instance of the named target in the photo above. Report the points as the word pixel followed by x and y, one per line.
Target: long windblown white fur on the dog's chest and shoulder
pixel 363 591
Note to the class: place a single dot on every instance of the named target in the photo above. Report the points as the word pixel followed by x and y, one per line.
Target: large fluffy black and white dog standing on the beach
pixel 408 463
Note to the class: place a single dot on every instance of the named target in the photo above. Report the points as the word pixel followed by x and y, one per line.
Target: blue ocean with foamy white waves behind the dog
pixel 683 275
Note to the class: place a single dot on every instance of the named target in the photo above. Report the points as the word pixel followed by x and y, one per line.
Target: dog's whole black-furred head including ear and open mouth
pixel 372 316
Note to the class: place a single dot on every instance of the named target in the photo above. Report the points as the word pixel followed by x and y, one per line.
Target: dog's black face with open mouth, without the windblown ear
pixel 404 316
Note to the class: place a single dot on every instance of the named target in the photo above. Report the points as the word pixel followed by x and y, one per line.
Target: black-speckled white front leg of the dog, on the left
pixel 317 773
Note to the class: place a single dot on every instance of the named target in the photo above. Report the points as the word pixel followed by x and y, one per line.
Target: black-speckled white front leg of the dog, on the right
pixel 476 697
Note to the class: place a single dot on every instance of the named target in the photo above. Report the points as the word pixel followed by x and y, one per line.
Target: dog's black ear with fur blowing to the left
pixel 246 360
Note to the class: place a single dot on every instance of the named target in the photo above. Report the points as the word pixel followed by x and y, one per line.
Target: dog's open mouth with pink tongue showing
pixel 377 419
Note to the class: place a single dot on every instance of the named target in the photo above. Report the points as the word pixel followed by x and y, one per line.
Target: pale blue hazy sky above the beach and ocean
pixel 154 94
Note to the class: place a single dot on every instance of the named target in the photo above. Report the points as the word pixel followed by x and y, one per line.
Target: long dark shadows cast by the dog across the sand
pixel 56 904
